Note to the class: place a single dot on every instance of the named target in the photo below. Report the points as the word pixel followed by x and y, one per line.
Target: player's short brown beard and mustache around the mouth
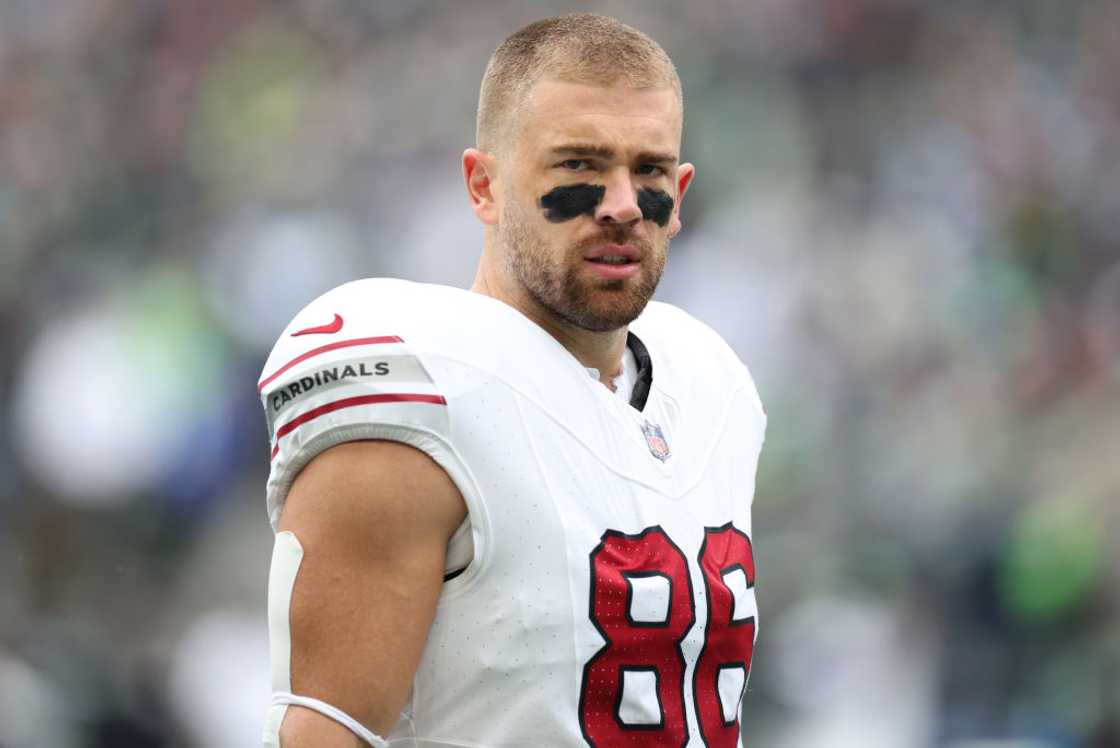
pixel 562 285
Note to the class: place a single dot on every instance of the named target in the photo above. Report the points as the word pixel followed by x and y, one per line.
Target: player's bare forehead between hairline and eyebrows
pixel 619 117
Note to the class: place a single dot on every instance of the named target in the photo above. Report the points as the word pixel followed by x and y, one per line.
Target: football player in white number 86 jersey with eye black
pixel 520 516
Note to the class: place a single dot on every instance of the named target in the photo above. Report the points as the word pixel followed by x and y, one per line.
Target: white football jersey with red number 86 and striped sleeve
pixel 609 592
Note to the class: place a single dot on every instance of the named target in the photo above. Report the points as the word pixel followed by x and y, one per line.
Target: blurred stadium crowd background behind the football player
pixel 907 221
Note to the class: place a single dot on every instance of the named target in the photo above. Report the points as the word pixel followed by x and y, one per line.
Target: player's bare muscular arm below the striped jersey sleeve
pixel 375 519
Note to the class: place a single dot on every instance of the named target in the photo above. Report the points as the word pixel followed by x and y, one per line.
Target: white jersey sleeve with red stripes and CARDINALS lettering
pixel 343 371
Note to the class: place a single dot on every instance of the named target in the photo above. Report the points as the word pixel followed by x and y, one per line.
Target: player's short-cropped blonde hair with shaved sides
pixel 582 49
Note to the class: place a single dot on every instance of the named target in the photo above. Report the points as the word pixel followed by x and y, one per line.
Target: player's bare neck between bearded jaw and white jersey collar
pixel 600 351
